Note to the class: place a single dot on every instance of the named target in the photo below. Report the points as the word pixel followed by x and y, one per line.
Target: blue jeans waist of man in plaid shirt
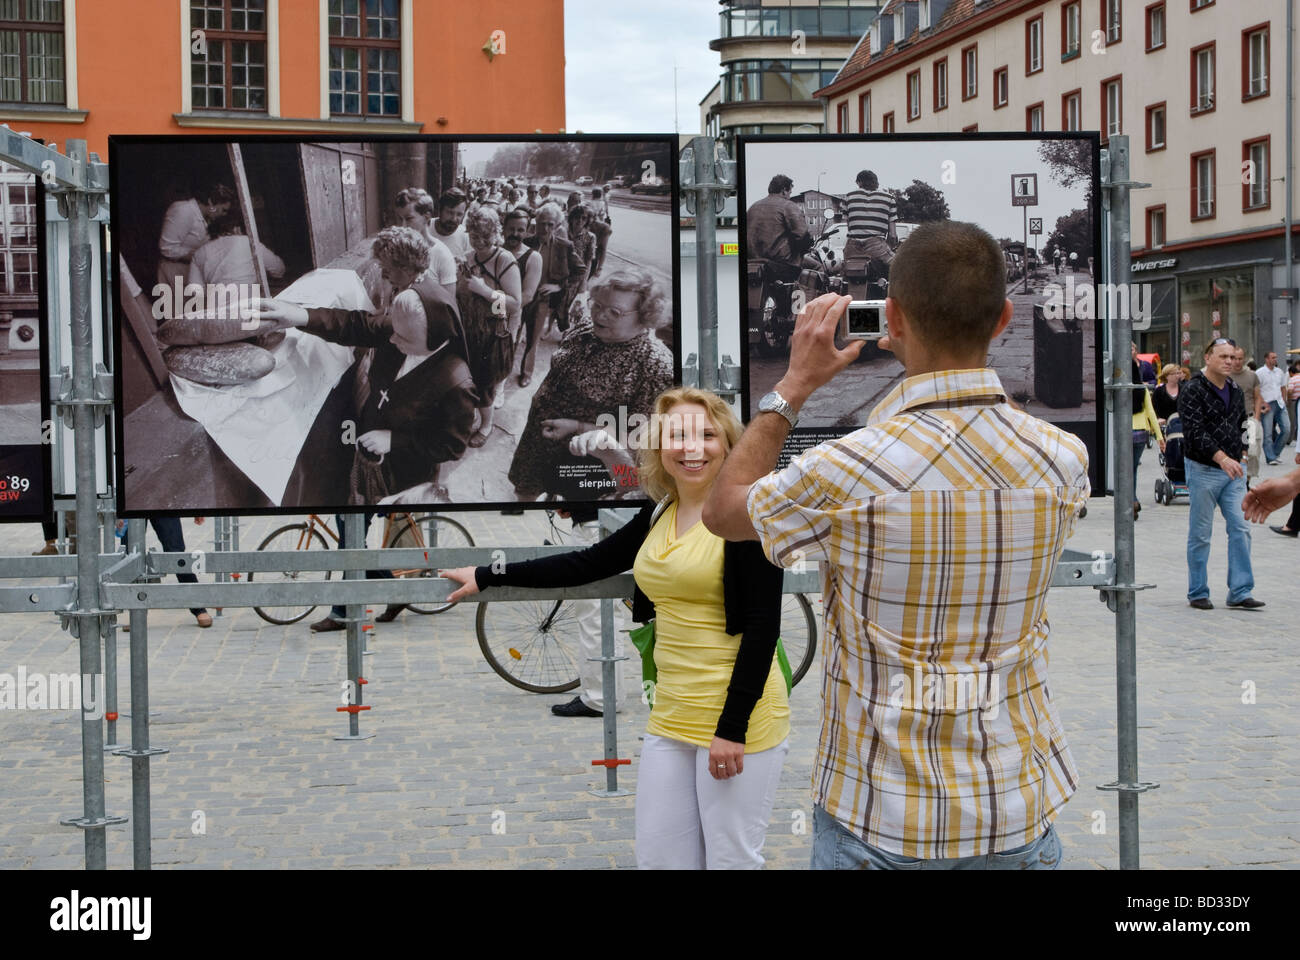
pixel 837 849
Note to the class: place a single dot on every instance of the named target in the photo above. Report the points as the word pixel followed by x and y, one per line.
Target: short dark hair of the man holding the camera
pixel 950 279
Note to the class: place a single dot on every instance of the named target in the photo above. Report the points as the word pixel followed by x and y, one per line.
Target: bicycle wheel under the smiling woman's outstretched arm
pixel 531 643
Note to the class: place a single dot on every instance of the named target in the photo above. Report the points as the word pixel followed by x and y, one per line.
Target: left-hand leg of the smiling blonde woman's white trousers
pixel 669 833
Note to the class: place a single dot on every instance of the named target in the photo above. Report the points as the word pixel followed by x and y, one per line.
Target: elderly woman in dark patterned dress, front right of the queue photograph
pixel 613 367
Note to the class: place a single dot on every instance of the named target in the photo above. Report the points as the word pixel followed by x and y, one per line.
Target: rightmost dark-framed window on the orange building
pixel 366 58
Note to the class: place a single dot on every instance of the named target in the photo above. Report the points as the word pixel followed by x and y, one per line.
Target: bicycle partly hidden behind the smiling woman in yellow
pixel 534 645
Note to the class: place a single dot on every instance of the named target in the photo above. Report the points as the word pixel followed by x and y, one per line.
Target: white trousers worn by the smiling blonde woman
pixel 690 821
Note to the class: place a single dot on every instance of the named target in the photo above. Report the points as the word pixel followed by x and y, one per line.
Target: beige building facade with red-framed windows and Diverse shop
pixel 1201 88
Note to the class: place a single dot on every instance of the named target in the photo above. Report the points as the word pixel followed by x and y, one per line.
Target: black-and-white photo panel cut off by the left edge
pixel 24 434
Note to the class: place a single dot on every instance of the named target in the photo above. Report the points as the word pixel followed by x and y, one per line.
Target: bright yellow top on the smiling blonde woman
pixel 694 654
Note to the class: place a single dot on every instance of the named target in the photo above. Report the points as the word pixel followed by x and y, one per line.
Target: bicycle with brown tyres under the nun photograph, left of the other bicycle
pixel 400 530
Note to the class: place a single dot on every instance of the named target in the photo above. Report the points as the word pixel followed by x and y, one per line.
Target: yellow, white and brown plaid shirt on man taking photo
pixel 939 527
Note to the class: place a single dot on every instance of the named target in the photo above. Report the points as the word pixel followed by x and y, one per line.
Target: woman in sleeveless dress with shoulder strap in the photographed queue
pixel 489 296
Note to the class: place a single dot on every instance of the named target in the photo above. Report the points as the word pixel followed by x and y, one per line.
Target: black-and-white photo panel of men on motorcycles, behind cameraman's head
pixel 827 217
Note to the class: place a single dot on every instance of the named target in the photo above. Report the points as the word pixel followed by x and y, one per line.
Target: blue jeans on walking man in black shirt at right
pixel 1211 487
